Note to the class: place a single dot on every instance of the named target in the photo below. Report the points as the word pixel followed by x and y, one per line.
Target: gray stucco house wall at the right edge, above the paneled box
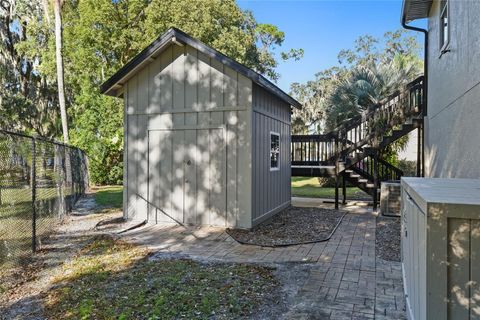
pixel 452 126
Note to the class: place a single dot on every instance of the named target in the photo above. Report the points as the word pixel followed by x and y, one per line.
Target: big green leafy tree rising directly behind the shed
pixel 99 36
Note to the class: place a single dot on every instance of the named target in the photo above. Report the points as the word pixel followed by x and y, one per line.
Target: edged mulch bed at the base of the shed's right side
pixel 292 226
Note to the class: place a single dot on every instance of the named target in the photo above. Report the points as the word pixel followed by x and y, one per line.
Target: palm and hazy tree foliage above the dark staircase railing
pixel 372 70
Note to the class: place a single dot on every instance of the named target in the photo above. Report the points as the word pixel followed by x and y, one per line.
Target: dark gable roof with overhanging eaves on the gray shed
pixel 114 83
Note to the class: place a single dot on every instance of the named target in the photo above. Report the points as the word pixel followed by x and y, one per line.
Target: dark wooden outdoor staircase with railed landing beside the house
pixel 351 151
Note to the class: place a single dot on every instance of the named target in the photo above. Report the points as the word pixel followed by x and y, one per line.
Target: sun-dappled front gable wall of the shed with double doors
pixel 203 109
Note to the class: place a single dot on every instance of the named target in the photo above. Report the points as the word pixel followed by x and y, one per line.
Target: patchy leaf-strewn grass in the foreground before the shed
pixel 110 279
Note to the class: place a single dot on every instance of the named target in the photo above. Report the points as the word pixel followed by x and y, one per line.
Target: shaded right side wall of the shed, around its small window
pixel 271 189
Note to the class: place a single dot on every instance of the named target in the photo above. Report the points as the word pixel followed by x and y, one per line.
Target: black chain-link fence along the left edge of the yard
pixel 40 181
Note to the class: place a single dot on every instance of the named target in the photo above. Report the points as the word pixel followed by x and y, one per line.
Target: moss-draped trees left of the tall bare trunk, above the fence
pixel 27 99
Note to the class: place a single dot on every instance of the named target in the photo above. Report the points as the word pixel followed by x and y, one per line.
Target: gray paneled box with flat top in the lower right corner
pixel 441 248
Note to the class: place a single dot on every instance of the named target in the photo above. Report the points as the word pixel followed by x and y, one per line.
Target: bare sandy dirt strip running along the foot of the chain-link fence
pixel 22 285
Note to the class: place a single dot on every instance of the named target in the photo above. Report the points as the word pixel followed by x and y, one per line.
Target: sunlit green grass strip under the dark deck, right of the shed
pixel 309 187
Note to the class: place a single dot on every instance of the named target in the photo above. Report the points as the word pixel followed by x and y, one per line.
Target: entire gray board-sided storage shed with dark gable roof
pixel 207 140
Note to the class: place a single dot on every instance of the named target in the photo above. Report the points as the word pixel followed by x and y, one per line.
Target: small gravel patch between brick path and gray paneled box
pixel 388 238
